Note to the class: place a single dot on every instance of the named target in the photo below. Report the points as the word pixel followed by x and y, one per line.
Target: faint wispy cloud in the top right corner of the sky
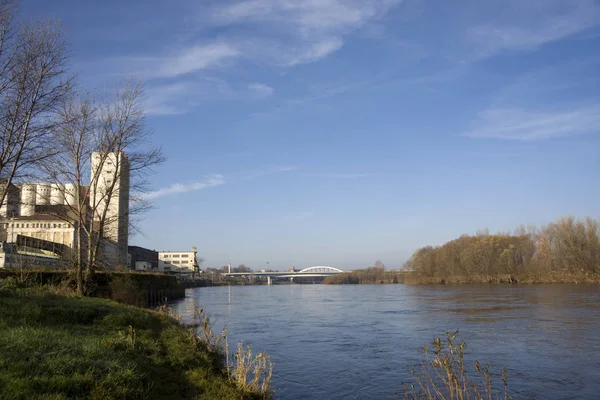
pixel 528 25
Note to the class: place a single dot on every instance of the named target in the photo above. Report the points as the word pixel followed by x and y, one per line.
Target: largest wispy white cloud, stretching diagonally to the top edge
pixel 281 33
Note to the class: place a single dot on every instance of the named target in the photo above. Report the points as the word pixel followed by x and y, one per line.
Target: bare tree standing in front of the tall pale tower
pixel 108 142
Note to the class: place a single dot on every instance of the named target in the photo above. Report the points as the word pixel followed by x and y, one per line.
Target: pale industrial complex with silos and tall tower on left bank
pixel 41 210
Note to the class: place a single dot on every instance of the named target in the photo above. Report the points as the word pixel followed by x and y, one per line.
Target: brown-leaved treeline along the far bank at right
pixel 567 250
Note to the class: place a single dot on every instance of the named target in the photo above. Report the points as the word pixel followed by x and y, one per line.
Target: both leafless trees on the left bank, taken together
pixel 49 130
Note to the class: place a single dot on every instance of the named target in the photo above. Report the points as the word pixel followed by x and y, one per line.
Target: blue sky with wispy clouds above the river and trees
pixel 338 132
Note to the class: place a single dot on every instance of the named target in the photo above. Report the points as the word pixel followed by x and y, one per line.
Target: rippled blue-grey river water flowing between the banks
pixel 360 341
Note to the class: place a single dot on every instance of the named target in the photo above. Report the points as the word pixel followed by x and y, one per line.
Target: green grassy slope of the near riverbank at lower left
pixel 58 347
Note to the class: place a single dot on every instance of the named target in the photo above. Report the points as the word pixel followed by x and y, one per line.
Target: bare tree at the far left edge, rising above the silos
pixel 33 83
